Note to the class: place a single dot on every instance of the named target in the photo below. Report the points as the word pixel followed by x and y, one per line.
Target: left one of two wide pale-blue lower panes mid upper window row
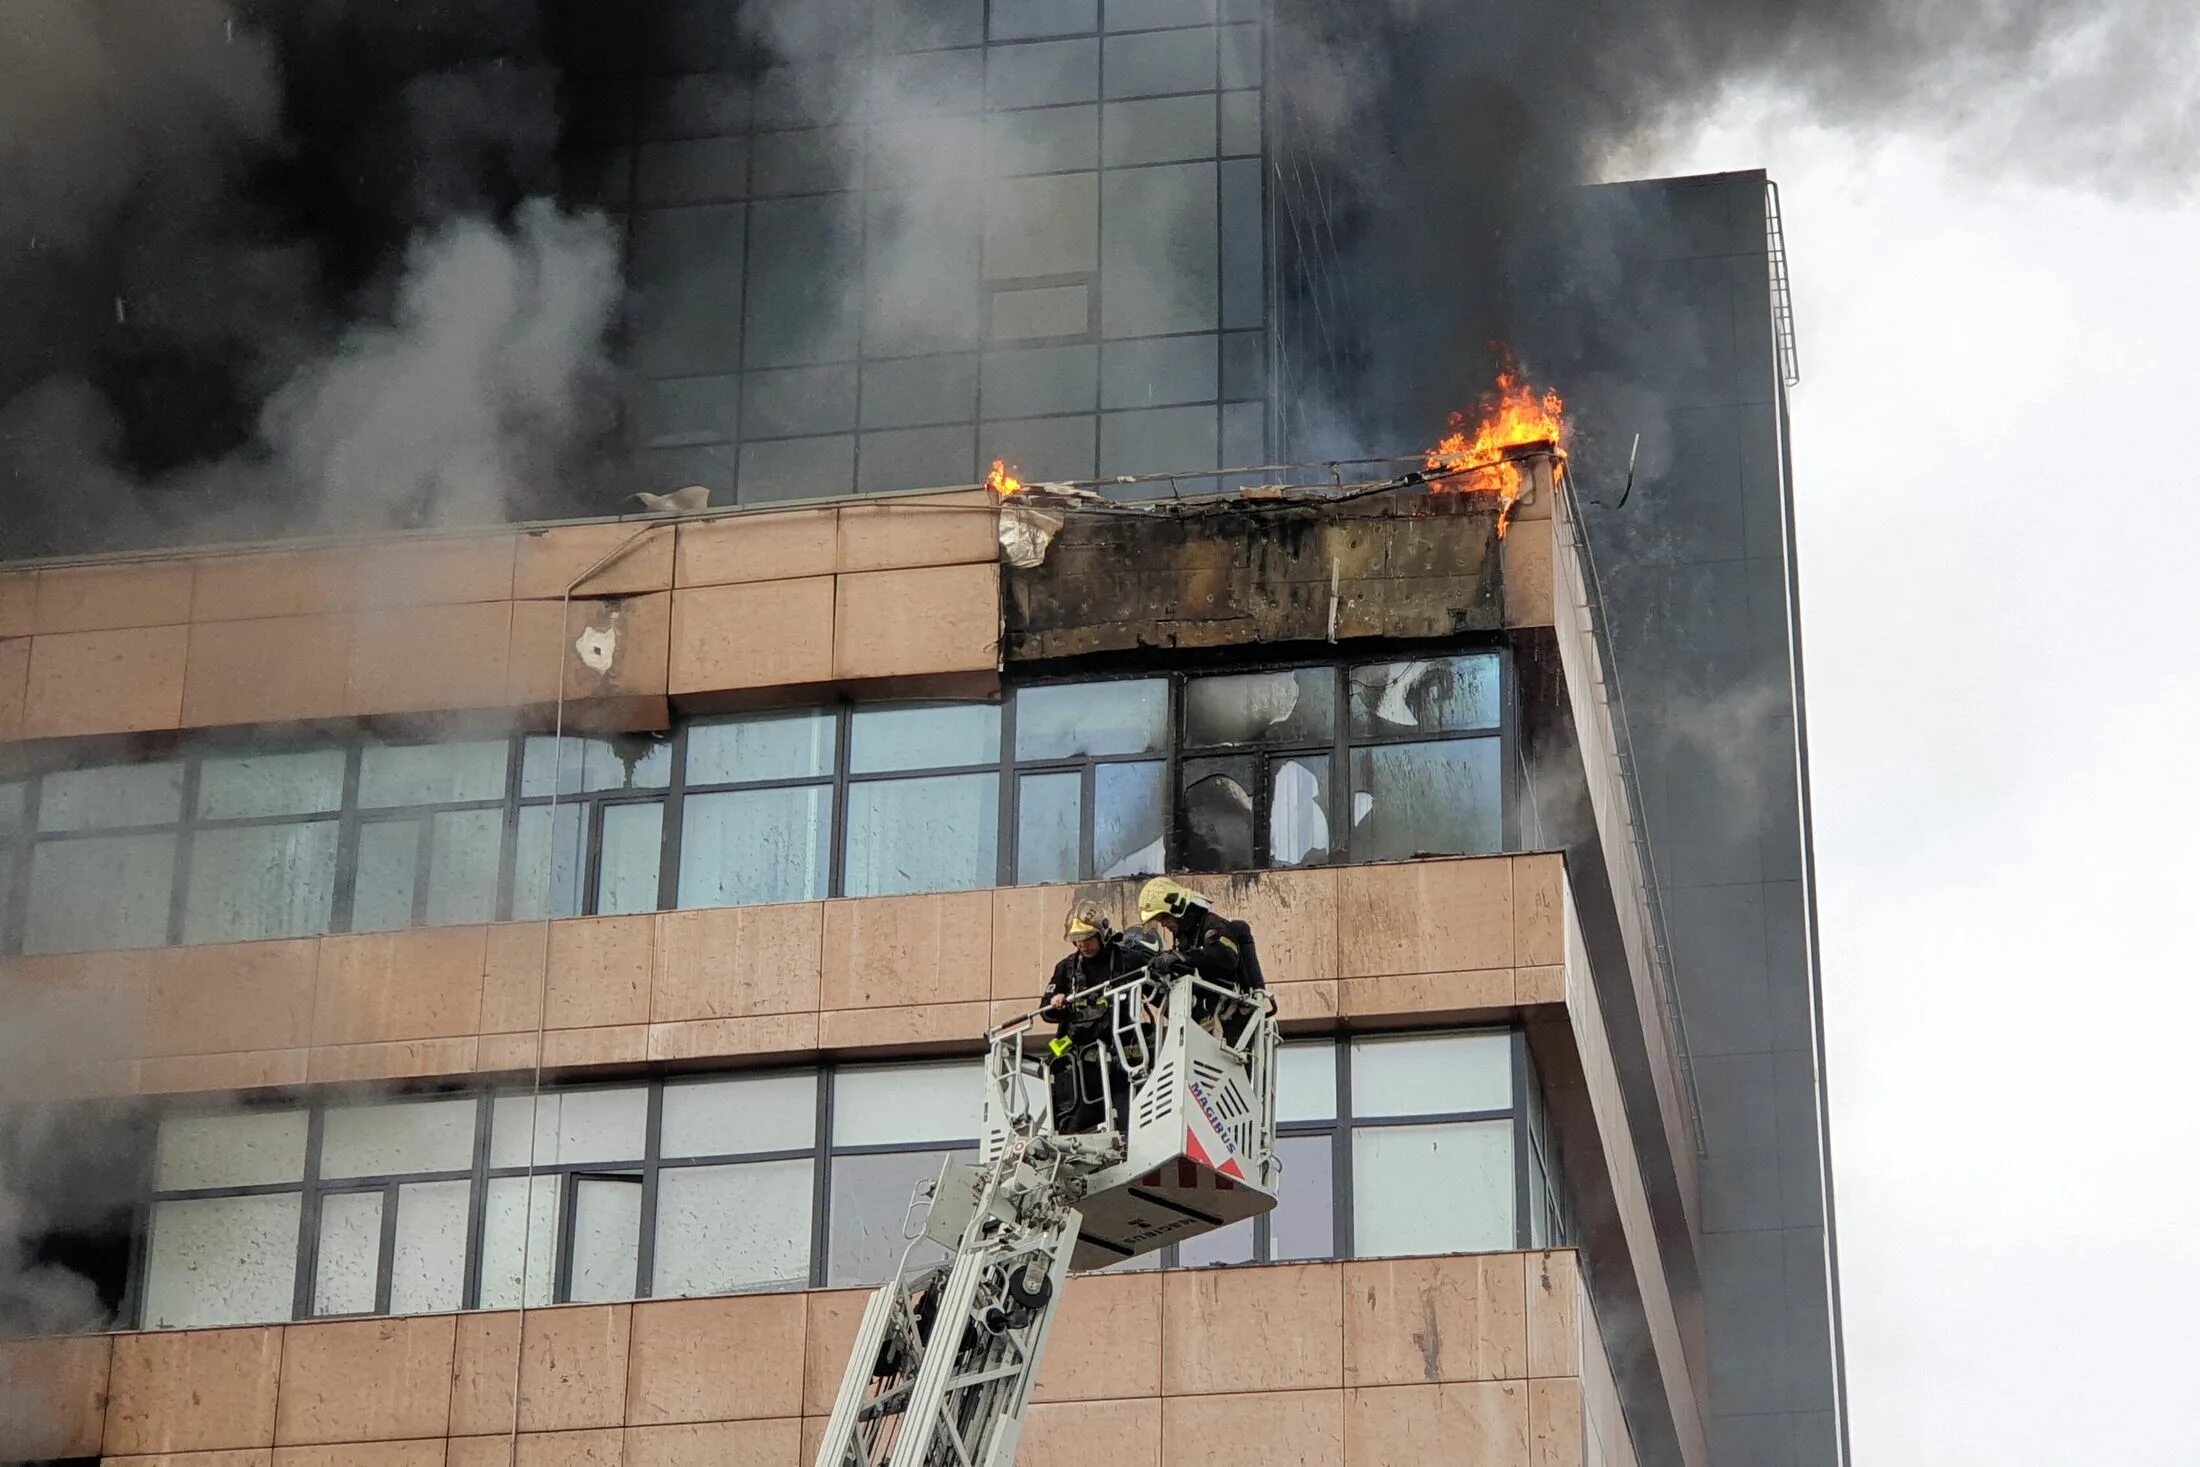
pixel 756 846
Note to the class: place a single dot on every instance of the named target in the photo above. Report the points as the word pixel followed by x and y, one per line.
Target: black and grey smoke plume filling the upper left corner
pixel 287 267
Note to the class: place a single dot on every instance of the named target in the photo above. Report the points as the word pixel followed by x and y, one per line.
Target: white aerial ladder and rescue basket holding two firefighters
pixel 947 1354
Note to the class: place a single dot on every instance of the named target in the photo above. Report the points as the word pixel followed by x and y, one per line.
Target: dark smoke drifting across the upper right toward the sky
pixel 1429 162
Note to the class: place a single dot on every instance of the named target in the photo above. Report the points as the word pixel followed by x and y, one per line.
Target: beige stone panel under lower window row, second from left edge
pixel 192 1391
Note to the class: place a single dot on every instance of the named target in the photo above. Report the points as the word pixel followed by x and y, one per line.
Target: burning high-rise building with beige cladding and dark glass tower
pixel 483 982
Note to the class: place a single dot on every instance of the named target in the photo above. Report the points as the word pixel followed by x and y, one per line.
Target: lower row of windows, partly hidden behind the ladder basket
pixel 775 1180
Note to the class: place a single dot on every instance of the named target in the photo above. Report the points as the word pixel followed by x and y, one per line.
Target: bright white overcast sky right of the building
pixel 1996 529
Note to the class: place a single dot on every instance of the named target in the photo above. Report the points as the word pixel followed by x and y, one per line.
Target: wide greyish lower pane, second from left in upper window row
pixel 261 881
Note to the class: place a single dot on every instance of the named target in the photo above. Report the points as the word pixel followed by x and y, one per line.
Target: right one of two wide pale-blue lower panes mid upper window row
pixel 923 835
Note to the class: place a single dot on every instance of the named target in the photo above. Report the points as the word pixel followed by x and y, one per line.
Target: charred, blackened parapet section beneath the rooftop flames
pixel 1328 564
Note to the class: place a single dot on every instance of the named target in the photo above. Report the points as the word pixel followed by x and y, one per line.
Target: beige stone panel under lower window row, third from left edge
pixel 366 1380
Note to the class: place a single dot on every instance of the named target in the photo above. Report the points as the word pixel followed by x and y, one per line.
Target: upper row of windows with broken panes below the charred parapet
pixel 1061 782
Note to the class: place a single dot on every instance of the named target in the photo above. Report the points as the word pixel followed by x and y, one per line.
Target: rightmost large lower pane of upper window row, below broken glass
pixel 1427 799
